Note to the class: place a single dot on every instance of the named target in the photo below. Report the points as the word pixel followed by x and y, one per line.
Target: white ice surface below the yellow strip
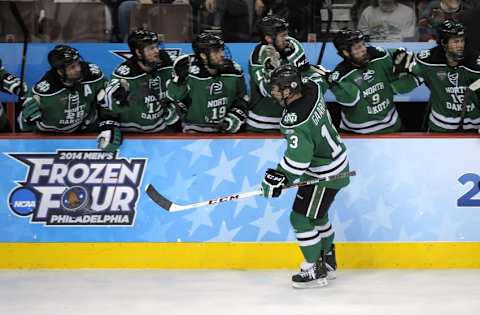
pixel 140 292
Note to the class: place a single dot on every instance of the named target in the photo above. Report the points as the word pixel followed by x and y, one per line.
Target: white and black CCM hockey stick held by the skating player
pixel 168 205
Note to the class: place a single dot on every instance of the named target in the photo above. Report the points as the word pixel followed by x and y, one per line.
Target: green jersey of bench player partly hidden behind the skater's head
pixel 264 113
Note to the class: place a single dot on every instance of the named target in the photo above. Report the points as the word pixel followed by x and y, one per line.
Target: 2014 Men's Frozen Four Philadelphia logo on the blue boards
pixel 78 188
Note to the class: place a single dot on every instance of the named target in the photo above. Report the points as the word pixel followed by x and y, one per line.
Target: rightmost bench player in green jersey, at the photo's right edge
pixel 451 73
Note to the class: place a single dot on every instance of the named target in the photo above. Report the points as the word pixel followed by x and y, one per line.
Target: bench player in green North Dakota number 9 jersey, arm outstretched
pixel 364 85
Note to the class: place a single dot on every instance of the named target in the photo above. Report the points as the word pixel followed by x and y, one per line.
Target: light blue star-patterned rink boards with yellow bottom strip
pixel 414 203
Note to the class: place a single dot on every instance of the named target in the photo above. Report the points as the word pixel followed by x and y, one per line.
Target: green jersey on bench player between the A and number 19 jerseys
pixel 145 107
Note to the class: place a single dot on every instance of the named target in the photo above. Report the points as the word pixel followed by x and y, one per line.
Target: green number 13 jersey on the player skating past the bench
pixel 314 148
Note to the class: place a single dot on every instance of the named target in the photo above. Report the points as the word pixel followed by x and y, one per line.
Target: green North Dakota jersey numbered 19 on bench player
pixel 209 97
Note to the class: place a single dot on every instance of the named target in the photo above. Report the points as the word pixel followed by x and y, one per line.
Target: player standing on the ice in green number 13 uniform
pixel 314 150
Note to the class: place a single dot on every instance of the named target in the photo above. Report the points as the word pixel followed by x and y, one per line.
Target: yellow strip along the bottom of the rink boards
pixel 233 255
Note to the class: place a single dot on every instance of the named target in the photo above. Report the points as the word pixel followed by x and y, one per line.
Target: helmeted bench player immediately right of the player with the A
pixel 135 98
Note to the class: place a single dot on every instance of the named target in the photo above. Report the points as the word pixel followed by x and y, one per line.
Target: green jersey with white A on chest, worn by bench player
pixel 67 109
